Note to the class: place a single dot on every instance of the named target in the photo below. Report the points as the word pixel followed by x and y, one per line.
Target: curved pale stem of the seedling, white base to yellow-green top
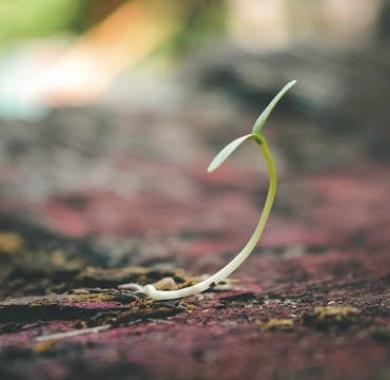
pixel 219 276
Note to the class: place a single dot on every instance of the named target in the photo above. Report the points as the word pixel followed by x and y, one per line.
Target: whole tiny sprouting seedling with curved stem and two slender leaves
pixel 257 136
